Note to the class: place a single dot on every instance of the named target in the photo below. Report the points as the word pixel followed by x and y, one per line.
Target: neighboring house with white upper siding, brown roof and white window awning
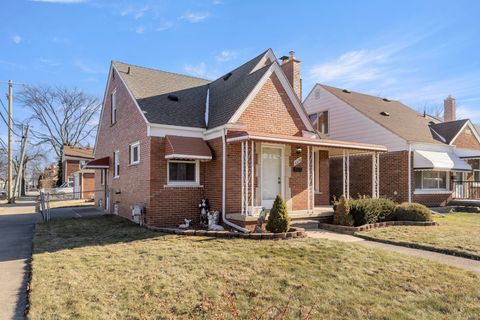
pixel 427 159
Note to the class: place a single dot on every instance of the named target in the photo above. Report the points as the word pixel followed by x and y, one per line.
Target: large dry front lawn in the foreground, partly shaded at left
pixel 109 268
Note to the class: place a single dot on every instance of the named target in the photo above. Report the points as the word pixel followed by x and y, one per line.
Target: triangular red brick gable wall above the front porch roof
pixel 271 111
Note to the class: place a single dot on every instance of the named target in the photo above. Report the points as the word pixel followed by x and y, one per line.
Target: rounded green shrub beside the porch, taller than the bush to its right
pixel 367 210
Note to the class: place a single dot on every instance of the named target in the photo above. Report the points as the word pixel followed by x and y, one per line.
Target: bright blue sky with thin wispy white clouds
pixel 416 51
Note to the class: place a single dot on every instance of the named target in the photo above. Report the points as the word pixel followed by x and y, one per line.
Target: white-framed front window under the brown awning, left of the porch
pixel 182 172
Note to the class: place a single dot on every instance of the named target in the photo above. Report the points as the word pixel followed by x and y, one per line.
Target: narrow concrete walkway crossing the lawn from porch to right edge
pixel 458 262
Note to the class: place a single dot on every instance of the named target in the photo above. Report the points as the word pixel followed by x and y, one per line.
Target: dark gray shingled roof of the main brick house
pixel 151 88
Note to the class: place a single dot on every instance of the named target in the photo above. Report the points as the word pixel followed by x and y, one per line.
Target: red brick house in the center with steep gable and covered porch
pixel 166 141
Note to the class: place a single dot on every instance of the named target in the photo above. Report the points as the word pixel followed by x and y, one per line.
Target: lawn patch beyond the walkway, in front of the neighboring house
pixel 459 232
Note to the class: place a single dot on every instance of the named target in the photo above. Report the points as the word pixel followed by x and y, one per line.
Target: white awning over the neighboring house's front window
pixel 443 161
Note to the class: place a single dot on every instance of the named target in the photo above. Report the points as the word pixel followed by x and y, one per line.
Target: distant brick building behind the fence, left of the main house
pixel 75 175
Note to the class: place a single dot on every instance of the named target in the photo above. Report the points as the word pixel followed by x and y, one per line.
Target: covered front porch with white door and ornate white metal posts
pixel 297 168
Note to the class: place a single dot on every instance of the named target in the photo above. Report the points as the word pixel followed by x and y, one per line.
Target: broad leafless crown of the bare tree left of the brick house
pixel 65 116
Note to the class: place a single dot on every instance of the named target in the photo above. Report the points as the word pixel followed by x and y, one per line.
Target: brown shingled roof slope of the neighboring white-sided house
pixel 397 117
